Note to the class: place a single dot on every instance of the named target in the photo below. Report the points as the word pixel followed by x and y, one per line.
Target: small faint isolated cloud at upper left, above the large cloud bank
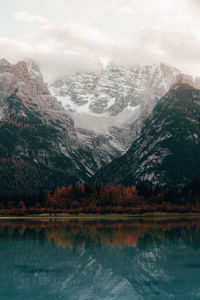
pixel 25 17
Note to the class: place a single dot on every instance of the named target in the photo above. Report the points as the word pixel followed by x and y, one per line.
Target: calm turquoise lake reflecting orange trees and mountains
pixel 100 259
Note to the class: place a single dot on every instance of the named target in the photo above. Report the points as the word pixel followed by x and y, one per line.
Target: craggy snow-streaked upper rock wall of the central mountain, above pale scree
pixel 114 89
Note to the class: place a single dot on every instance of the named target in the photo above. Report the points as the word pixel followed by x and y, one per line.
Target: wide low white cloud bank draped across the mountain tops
pixel 69 49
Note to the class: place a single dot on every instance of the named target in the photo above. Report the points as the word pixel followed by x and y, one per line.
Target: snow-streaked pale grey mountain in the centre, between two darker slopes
pixel 114 103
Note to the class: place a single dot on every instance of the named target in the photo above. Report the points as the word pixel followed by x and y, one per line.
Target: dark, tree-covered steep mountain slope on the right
pixel 167 152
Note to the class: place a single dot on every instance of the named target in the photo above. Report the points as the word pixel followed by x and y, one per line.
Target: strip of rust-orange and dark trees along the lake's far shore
pixel 86 199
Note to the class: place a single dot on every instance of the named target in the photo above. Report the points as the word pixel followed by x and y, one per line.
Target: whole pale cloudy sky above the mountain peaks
pixel 69 36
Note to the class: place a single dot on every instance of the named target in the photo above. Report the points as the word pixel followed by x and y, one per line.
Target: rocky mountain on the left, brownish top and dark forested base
pixel 39 146
